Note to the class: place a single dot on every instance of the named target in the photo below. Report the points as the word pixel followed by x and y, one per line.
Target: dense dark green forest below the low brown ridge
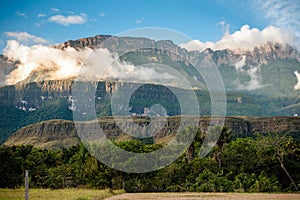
pixel 262 163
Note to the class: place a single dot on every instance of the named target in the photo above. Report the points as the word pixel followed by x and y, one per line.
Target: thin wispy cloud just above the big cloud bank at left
pixel 26 37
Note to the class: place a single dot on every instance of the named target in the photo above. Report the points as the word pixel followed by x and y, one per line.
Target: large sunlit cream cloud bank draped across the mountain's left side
pixel 50 63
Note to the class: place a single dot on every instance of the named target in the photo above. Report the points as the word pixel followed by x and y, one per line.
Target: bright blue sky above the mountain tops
pixel 57 21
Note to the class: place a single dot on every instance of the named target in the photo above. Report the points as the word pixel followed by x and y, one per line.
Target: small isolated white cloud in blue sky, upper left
pixel 69 20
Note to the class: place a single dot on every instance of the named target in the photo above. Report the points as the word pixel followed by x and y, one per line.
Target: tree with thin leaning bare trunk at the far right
pixel 276 147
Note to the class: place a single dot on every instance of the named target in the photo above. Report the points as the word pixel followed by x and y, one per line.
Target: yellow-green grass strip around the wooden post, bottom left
pixel 60 194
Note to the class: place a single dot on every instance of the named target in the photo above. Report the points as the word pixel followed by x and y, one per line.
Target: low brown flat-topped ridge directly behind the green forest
pixel 54 134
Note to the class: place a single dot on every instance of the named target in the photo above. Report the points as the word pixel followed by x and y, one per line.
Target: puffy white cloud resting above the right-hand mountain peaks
pixel 245 39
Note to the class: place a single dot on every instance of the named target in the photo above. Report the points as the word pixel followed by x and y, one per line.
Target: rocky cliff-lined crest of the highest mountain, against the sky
pixel 268 50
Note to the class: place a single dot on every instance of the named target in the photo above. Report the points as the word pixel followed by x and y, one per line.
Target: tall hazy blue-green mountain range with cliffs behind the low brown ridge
pixel 262 82
